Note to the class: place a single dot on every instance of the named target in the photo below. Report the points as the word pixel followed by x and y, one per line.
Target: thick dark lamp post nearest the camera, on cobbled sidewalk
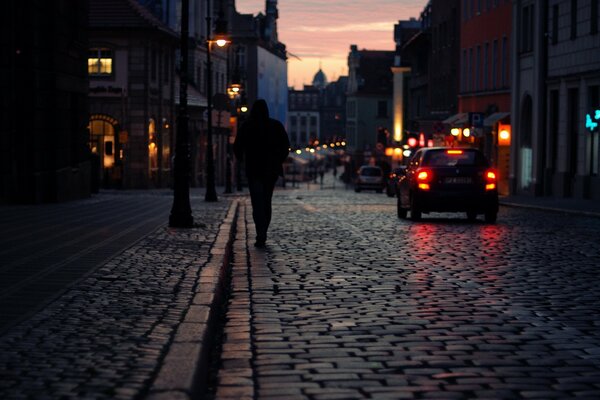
pixel 181 212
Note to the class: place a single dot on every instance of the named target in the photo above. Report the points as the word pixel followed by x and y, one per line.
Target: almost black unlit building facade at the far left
pixel 44 109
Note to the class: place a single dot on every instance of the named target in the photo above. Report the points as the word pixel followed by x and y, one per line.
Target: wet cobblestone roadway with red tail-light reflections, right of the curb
pixel 349 302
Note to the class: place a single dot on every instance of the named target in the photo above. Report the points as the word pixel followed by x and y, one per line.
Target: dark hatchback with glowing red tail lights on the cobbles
pixel 441 179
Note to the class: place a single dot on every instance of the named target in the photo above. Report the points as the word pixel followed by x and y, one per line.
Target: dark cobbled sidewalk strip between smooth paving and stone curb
pixel 106 336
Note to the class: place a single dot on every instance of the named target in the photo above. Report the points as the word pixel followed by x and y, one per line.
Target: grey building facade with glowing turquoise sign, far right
pixel 556 63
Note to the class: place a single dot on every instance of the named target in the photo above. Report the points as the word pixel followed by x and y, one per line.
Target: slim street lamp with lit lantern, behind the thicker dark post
pixel 220 40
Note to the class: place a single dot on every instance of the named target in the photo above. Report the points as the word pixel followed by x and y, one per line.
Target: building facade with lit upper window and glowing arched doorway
pixel 132 85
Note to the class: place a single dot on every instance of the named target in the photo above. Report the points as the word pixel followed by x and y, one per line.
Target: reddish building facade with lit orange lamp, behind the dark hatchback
pixel 485 90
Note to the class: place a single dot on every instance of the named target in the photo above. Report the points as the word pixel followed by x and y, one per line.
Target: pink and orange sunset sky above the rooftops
pixel 323 30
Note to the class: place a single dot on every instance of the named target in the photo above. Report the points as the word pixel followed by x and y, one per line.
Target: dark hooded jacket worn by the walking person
pixel 262 143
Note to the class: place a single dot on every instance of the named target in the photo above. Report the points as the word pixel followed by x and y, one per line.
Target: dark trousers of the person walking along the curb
pixel 261 193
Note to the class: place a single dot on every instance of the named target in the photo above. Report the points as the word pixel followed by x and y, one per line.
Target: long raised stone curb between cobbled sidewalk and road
pixel 186 363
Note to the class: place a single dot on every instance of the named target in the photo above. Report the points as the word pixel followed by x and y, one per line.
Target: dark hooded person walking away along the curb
pixel 263 144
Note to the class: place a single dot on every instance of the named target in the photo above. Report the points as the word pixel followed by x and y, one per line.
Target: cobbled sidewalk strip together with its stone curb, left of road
pixel 139 326
